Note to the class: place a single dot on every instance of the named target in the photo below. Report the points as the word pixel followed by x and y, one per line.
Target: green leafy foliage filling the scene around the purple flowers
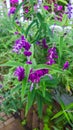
pixel 42 93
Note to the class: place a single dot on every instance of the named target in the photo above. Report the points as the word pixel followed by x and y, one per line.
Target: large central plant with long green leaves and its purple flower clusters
pixel 42 56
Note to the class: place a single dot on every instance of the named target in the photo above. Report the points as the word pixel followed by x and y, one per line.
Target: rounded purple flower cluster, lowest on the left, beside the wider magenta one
pixel 20 73
